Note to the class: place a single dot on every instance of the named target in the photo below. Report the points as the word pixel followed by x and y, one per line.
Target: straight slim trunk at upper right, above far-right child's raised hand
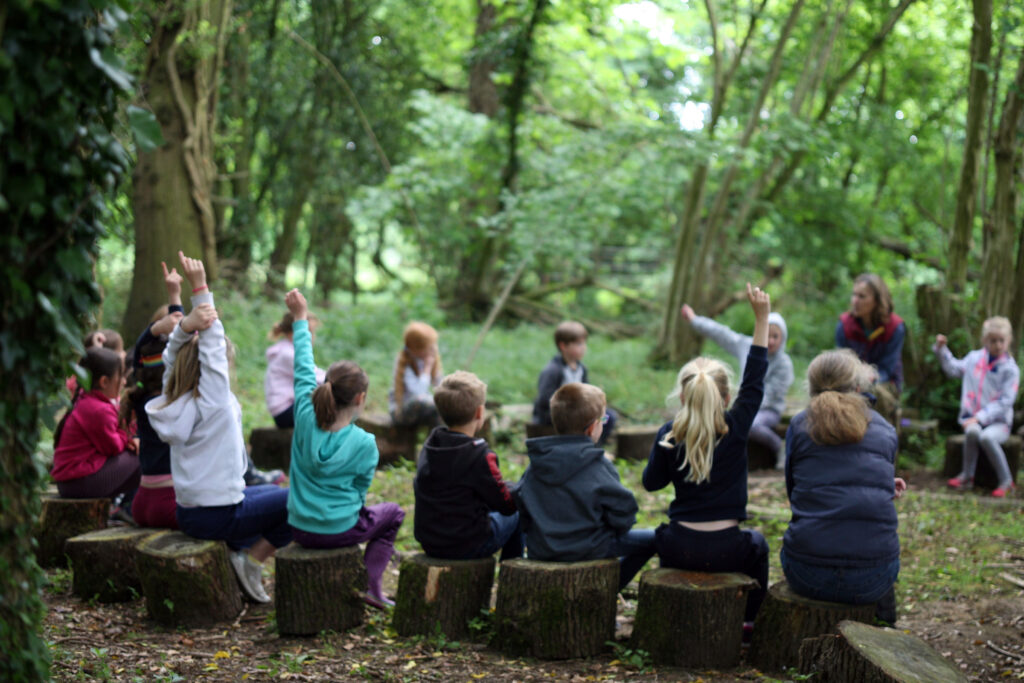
pixel 967 190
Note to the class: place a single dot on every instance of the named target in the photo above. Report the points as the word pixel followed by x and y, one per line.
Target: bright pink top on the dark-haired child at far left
pixel 91 437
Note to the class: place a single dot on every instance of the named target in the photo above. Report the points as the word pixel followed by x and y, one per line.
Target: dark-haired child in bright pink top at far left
pixel 93 454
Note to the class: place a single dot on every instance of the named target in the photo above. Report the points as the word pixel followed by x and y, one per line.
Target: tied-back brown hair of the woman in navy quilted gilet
pixel 838 413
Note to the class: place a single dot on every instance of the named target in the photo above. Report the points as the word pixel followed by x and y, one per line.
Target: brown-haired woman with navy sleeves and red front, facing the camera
pixel 876 334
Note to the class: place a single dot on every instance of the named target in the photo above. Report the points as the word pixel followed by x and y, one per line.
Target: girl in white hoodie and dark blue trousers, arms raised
pixel 201 420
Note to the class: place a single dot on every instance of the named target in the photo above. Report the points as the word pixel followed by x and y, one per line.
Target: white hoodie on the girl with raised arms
pixel 208 451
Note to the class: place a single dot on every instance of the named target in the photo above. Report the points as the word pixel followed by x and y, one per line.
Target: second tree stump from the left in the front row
pixel 104 564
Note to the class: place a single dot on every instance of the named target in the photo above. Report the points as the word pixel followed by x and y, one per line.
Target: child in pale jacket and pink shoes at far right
pixel 991 380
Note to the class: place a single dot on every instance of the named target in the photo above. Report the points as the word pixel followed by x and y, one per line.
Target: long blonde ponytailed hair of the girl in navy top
pixel 702 387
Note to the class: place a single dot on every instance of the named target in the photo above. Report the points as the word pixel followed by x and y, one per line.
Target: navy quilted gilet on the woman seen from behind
pixel 842 498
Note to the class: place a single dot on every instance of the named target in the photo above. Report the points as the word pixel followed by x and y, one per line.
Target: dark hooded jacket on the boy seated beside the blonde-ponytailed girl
pixel 571 502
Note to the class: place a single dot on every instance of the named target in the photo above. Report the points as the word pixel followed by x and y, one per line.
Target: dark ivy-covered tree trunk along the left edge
pixel 59 162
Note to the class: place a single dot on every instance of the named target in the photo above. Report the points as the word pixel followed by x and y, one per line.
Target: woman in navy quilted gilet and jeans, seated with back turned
pixel 842 545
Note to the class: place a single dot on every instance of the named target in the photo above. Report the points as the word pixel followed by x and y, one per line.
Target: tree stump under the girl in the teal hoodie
pixel 319 590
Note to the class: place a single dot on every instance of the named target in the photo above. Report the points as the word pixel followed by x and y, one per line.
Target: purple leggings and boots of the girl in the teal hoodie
pixel 377 527
